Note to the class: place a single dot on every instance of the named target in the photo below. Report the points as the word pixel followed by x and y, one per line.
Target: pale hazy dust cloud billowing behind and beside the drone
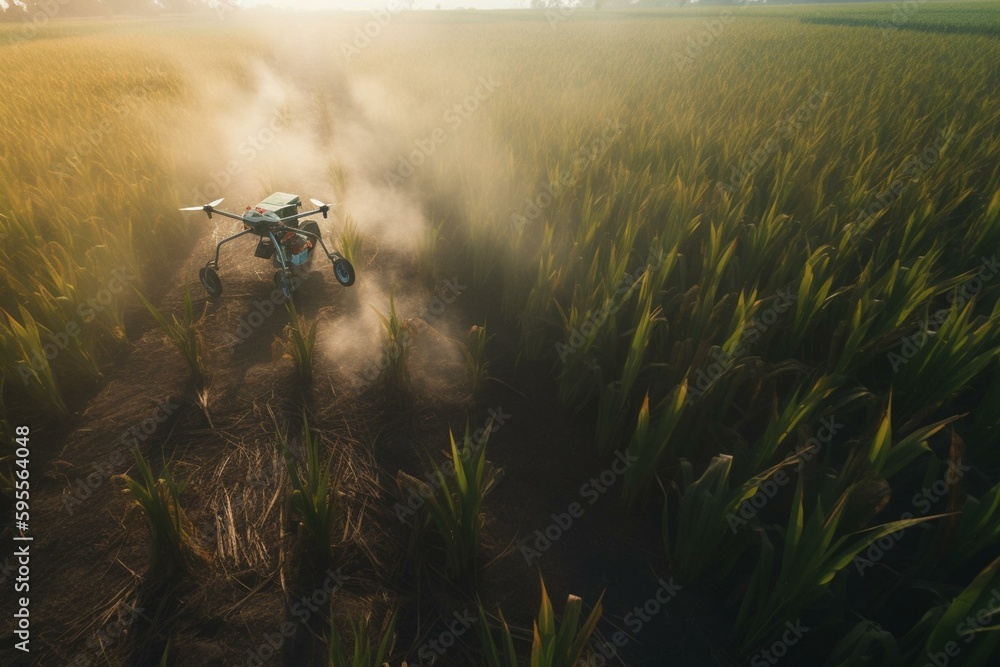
pixel 298 119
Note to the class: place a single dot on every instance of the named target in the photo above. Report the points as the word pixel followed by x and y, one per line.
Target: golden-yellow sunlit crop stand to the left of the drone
pixel 71 237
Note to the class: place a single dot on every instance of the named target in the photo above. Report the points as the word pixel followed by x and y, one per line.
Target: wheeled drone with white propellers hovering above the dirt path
pixel 275 221
